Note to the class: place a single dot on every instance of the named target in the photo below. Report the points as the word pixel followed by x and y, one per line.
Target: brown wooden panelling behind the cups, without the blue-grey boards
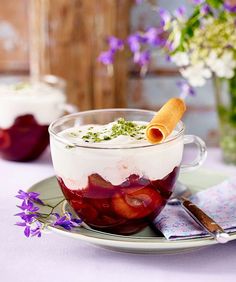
pixel 64 38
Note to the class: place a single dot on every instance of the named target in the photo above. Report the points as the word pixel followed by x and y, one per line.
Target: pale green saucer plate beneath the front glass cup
pixel 146 241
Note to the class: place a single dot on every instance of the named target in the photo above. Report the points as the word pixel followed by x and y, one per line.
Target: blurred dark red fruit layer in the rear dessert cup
pixel 25 140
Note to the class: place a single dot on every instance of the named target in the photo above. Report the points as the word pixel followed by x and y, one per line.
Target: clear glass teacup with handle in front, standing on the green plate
pixel 118 189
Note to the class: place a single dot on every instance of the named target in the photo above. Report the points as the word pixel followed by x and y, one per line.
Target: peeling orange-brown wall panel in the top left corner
pixel 14 45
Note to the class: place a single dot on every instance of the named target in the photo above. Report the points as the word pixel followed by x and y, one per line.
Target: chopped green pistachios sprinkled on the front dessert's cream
pixel 120 127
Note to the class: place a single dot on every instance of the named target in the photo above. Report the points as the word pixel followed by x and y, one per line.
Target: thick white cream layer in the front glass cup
pixel 115 160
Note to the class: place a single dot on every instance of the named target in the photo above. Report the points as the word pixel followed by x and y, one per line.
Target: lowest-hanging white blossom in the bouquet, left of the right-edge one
pixel 196 74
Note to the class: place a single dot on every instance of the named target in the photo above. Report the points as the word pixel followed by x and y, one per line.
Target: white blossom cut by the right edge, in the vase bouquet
pixel 222 66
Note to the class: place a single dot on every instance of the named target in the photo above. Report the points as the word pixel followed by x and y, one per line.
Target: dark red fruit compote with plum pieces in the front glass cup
pixel 123 209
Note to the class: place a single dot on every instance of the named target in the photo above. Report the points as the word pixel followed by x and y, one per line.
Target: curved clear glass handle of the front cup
pixel 202 153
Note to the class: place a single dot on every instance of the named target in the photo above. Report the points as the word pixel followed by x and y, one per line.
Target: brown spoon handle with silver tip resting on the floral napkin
pixel 205 221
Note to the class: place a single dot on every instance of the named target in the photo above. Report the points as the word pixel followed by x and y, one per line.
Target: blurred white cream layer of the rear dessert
pixel 44 102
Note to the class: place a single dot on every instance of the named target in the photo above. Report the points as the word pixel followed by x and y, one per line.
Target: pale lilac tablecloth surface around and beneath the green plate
pixel 57 258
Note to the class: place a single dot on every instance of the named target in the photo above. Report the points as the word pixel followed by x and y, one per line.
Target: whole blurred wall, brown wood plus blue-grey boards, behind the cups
pixel 64 38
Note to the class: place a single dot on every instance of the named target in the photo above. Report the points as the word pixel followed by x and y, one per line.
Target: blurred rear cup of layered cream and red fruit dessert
pixel 26 110
